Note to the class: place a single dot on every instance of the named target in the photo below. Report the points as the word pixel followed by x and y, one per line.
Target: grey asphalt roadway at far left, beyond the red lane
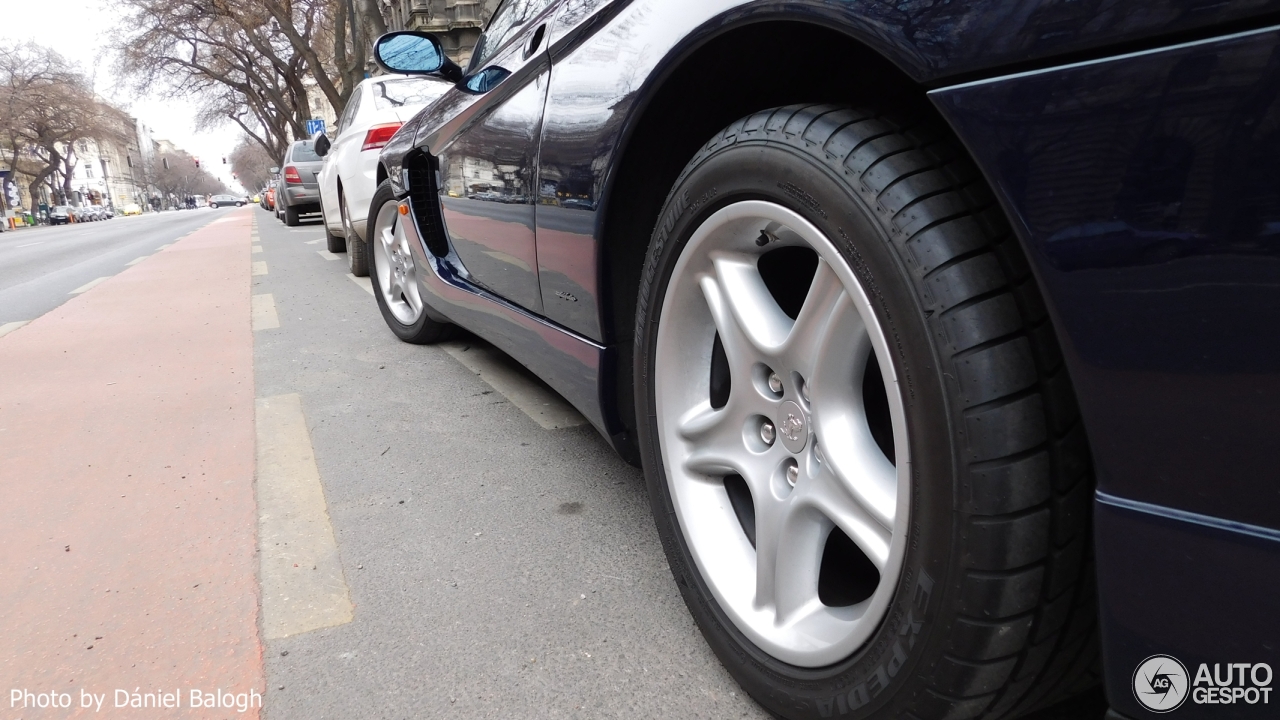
pixel 42 267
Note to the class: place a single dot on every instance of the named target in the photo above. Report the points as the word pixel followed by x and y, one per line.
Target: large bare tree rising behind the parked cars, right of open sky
pixel 245 61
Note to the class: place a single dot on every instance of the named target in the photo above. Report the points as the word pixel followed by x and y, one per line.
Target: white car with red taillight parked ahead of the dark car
pixel 377 110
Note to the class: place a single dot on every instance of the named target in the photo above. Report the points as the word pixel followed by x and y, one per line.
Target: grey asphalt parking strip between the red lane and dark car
pixel 497 569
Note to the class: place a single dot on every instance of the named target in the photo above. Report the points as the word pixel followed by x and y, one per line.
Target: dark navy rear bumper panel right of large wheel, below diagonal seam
pixel 1144 190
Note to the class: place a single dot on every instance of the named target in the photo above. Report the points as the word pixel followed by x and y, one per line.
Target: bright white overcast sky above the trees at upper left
pixel 80 30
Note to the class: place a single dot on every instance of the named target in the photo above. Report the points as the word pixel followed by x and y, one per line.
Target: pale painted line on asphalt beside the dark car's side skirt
pixel 518 385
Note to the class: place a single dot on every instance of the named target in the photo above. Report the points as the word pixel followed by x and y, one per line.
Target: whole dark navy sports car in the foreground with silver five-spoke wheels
pixel 945 332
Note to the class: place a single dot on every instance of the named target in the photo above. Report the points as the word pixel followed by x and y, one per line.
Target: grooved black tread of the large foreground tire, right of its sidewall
pixel 1027 545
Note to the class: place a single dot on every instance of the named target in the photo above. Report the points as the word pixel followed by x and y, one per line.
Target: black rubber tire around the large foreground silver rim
pixel 994 614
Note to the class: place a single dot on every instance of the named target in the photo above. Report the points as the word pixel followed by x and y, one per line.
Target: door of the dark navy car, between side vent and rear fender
pixel 490 168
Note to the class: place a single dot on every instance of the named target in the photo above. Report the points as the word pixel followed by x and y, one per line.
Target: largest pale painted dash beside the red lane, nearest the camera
pixel 304 587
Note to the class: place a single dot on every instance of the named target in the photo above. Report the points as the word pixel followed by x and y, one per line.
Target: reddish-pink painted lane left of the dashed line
pixel 127 512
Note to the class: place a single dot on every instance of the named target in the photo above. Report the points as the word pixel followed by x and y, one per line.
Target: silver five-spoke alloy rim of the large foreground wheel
pixel 807 453
